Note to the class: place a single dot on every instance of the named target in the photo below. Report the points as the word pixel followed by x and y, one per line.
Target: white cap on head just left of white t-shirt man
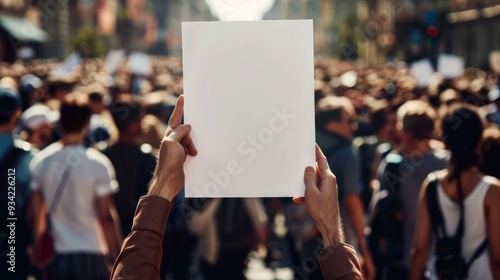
pixel 36 116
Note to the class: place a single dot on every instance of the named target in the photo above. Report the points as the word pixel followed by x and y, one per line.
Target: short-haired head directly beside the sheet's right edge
pixel 336 115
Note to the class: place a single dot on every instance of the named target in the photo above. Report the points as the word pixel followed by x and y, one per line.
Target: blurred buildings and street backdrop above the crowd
pixel 373 31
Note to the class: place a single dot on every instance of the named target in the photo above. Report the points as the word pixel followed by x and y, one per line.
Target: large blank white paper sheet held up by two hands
pixel 249 96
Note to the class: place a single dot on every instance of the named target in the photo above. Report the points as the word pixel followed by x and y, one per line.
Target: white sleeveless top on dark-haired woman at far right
pixel 475 228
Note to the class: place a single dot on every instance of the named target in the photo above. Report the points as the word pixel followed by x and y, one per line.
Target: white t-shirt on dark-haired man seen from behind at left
pixel 75 223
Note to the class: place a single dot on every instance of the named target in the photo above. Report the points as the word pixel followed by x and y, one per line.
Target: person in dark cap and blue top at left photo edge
pixel 15 156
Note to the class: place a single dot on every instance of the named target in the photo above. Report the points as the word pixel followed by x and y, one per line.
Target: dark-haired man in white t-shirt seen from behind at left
pixel 74 185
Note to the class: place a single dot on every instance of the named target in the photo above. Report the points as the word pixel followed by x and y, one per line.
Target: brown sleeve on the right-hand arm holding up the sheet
pixel 339 262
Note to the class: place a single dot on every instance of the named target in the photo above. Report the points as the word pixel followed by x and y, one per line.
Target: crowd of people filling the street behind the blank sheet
pixel 84 145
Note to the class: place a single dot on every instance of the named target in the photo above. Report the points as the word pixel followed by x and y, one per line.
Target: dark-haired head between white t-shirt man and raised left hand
pixel 125 109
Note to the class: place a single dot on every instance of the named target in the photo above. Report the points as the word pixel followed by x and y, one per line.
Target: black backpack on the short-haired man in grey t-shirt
pixel 386 238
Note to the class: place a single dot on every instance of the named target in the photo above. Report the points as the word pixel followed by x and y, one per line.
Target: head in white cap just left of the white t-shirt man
pixel 35 125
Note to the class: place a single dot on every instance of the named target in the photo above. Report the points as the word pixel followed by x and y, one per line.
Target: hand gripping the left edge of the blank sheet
pixel 168 178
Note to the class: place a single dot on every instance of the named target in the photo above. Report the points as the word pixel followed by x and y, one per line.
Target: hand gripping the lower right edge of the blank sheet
pixel 321 199
